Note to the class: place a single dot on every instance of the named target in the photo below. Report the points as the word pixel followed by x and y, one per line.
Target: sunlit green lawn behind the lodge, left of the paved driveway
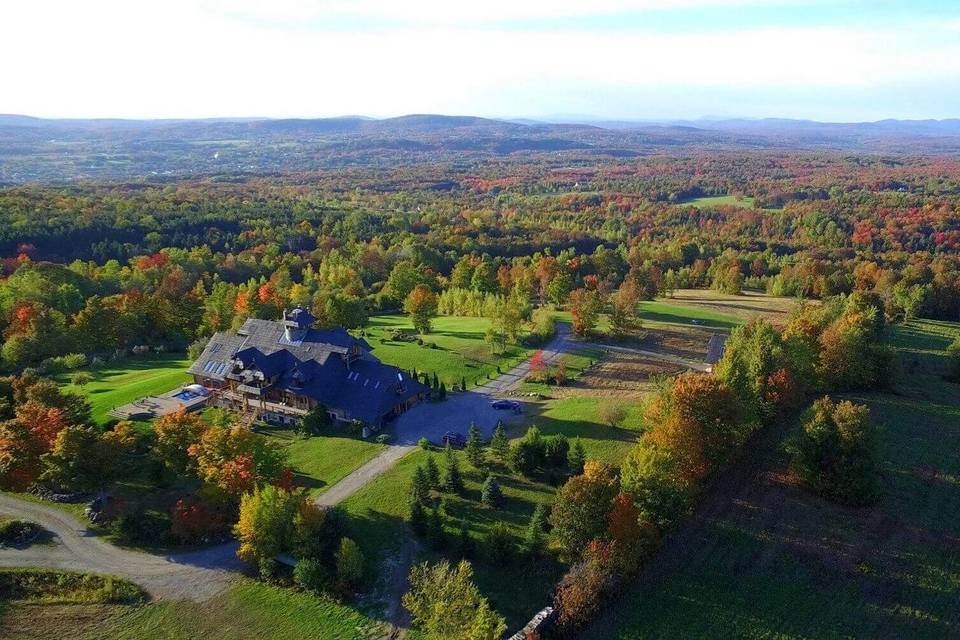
pixel 460 351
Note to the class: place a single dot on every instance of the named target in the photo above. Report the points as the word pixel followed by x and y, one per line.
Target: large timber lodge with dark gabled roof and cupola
pixel 281 370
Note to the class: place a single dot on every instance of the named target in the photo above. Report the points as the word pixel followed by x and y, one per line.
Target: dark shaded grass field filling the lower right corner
pixel 762 558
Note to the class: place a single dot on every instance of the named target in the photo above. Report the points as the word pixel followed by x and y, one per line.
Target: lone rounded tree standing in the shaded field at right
pixel 833 453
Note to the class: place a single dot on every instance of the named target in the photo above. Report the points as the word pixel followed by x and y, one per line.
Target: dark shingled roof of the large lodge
pixel 314 366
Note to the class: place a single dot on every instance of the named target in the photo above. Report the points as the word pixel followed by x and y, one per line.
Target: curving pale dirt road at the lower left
pixel 194 575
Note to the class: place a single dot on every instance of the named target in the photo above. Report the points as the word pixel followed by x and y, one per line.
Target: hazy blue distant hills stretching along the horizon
pixel 62 150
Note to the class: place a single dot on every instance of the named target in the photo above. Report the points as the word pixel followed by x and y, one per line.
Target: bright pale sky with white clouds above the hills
pixel 841 60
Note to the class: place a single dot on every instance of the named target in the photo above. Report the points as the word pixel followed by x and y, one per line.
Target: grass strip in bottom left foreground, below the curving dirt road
pixel 248 611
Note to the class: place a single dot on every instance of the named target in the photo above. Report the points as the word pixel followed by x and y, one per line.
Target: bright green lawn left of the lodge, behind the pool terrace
pixel 119 383
